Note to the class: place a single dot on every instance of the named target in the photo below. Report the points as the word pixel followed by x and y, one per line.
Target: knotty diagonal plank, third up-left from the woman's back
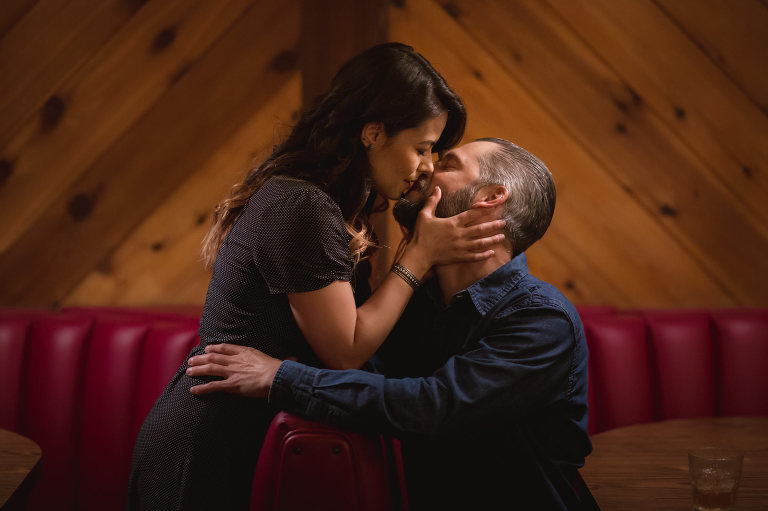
pixel 105 98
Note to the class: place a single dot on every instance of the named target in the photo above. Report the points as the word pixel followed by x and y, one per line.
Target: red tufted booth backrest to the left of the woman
pixel 85 379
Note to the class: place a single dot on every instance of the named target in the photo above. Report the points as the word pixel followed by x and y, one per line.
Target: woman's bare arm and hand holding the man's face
pixel 345 337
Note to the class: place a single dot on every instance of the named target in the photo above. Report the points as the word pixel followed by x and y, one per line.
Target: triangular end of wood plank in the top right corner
pixel 733 34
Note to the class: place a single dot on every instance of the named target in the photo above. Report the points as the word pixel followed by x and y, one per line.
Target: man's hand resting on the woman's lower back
pixel 246 371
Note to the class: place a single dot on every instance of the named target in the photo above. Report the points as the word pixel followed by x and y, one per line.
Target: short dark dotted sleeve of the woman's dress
pixel 302 243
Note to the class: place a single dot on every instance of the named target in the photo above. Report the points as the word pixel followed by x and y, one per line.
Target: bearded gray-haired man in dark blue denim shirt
pixel 484 378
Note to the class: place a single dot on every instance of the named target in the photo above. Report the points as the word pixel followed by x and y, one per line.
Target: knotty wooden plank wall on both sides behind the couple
pixel 122 122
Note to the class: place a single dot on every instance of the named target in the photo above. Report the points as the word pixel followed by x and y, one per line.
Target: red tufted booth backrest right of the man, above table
pixel 664 364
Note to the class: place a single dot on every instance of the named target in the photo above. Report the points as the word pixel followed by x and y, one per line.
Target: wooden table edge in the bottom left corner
pixel 18 456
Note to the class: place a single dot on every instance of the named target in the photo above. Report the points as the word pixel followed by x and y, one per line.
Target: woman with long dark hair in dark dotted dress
pixel 283 248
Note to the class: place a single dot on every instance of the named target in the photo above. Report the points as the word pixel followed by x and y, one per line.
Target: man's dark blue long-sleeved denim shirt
pixel 500 372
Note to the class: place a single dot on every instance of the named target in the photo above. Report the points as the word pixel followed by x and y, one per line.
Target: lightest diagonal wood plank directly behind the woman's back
pixel 159 263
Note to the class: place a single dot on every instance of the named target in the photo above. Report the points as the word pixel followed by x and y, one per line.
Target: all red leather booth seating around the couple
pixel 80 381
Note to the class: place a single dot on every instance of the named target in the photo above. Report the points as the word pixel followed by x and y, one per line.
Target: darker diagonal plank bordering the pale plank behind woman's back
pixel 211 102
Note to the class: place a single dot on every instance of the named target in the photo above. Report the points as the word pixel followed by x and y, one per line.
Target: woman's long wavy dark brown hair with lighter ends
pixel 388 83
